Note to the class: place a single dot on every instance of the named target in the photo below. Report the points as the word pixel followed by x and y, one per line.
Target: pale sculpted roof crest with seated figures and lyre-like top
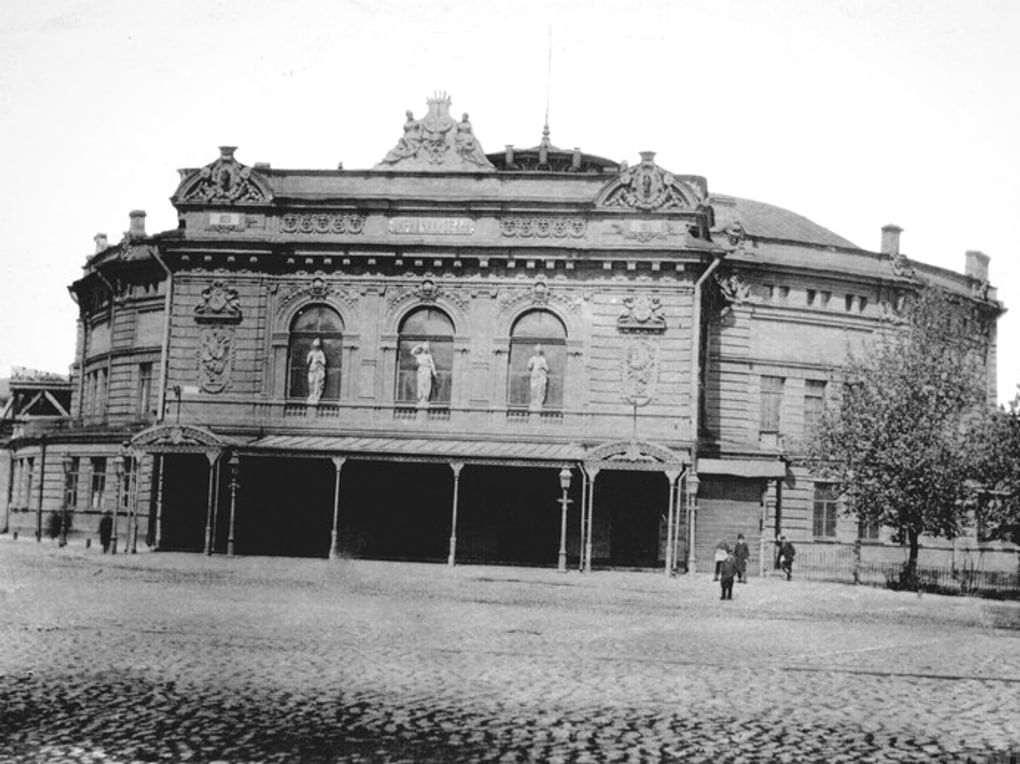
pixel 437 142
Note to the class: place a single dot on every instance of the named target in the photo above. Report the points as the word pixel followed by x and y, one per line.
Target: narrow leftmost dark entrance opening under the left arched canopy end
pixel 186 496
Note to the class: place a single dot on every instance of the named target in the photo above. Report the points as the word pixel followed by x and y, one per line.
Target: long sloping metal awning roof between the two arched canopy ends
pixel 521 453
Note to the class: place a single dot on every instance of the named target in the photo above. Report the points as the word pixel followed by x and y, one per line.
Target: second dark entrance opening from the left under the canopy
pixel 285 507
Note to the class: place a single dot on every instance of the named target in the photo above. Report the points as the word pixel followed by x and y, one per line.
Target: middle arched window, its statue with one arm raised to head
pixel 425 368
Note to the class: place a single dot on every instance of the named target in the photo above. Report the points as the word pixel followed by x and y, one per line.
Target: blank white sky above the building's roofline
pixel 855 115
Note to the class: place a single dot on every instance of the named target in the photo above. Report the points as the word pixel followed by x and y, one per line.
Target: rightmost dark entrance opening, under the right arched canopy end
pixel 630 515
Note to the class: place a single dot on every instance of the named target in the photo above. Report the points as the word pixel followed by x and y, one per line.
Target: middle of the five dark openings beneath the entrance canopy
pixel 395 511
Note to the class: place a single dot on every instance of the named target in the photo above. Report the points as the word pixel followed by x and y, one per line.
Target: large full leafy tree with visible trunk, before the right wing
pixel 896 446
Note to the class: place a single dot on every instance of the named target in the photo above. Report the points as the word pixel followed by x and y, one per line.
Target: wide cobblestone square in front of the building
pixel 166 657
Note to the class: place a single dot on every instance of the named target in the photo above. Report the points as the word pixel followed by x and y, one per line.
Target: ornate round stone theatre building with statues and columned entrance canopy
pixel 536 356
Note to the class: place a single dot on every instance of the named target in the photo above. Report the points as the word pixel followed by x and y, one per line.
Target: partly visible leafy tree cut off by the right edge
pixel 995 452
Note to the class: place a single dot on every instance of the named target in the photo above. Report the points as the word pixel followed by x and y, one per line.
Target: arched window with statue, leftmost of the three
pixel 315 354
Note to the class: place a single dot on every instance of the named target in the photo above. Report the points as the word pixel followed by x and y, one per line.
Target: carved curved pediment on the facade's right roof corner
pixel 648 188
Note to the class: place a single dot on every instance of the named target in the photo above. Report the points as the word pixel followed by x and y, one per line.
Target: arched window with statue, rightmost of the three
pixel 538 362
